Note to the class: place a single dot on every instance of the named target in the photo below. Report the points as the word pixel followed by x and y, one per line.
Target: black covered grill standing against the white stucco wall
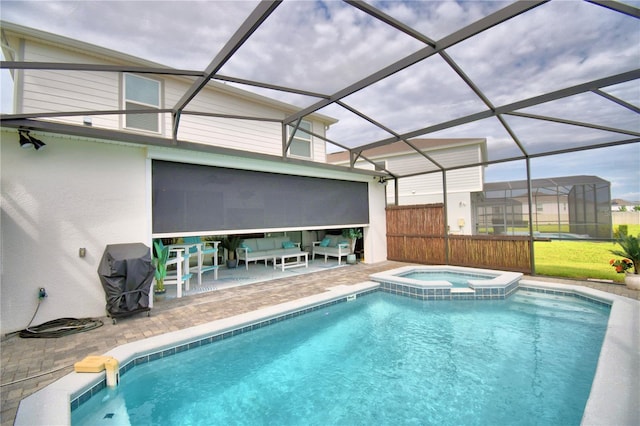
pixel 126 273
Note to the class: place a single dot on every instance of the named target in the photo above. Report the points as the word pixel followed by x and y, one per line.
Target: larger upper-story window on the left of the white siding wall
pixel 141 93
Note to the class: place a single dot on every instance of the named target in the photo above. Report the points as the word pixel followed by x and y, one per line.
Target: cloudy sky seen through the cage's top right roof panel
pixel 545 50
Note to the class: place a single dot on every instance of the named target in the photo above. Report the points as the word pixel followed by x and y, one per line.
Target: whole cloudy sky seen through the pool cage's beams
pixel 323 46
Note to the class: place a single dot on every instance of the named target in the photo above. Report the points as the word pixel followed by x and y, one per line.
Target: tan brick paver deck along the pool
pixel 31 364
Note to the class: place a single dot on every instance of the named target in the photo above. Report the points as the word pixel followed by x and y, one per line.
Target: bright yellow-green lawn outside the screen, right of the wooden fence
pixel 578 259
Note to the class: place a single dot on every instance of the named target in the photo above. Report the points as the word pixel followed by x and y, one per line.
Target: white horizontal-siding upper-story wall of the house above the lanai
pixel 56 91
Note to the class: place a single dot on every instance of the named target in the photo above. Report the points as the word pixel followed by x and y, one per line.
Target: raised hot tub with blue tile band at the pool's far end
pixel 443 282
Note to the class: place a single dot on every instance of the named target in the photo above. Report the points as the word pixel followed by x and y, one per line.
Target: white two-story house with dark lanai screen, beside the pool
pixel 110 178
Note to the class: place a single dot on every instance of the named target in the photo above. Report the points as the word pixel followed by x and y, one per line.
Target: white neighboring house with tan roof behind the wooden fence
pixel 428 188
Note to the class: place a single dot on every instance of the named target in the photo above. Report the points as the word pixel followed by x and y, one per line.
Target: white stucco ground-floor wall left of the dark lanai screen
pixel 71 194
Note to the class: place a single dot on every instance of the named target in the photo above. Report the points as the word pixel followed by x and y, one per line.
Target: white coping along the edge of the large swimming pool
pixel 612 399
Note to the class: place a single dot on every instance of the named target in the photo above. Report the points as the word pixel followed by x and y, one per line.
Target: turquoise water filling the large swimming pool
pixel 382 359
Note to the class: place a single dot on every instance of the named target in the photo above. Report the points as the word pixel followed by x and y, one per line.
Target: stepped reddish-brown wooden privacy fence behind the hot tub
pixel 416 234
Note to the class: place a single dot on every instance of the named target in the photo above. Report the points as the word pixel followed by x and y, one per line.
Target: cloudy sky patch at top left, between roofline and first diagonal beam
pixel 181 34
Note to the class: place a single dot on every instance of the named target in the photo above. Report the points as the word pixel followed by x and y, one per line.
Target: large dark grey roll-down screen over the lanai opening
pixel 196 198
